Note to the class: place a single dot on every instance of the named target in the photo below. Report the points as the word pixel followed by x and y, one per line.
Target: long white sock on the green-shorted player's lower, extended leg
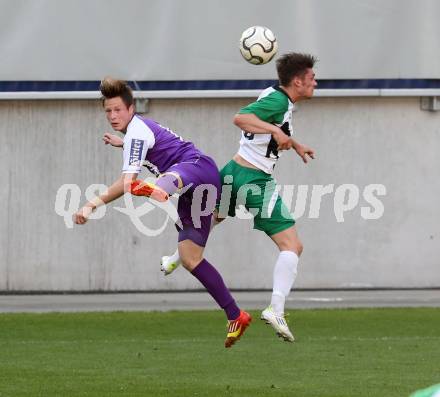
pixel 284 274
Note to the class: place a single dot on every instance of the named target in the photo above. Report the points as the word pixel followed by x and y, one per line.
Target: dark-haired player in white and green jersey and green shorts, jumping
pixel 266 126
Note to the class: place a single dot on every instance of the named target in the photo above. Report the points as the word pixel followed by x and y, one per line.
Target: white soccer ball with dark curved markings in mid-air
pixel 258 45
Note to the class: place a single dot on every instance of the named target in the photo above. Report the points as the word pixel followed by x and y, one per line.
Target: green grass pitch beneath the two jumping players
pixel 338 353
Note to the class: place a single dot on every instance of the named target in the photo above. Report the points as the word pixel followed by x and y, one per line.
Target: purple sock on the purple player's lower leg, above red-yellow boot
pixel 214 284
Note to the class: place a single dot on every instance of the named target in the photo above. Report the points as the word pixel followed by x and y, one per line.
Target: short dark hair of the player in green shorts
pixel 292 65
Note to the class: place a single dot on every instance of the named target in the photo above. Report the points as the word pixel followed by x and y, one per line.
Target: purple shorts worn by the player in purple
pixel 202 189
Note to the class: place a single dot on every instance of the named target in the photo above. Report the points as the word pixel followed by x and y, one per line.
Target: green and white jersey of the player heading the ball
pixel 273 106
